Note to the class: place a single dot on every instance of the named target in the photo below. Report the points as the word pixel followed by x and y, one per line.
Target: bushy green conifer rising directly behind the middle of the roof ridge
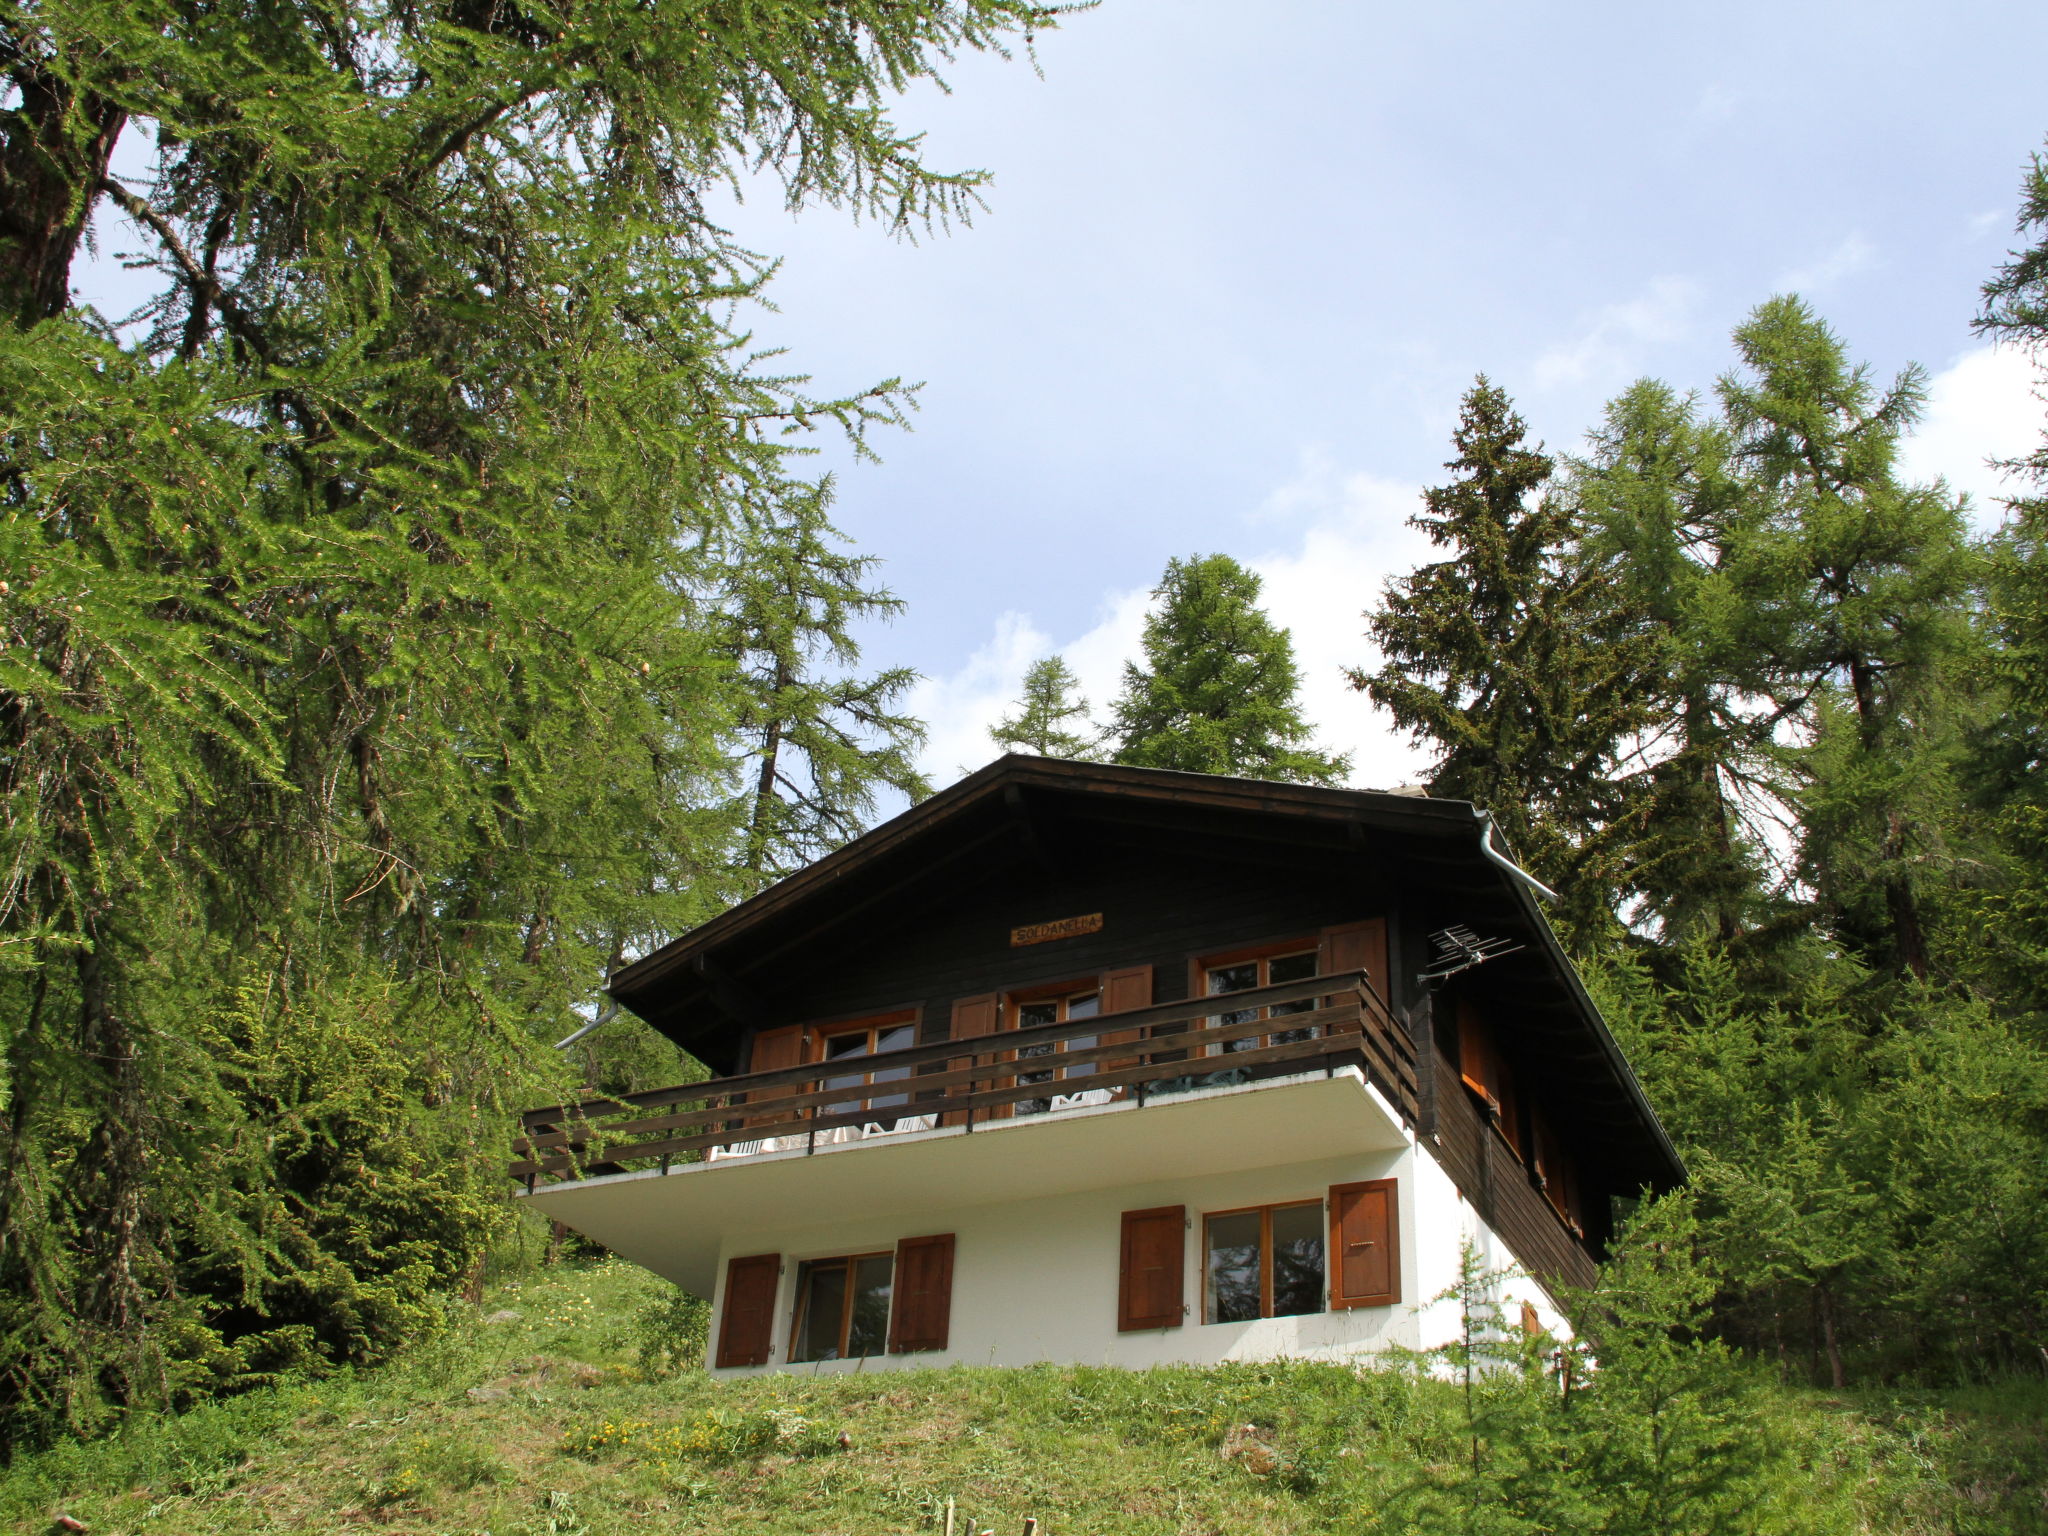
pixel 1218 687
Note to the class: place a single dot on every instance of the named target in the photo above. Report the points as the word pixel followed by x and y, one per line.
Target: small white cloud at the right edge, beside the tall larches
pixel 1983 407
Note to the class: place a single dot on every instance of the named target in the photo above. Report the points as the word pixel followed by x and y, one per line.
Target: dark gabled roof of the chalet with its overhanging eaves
pixel 708 972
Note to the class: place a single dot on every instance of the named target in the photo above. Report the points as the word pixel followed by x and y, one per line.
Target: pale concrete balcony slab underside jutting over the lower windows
pixel 677 1224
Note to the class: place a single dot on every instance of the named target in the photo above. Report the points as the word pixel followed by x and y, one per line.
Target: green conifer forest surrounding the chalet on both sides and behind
pixel 421 607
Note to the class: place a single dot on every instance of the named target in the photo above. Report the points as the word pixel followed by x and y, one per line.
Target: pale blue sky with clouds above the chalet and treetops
pixel 1240 263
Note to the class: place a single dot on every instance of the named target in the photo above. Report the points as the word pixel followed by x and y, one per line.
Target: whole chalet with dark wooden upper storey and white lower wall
pixel 1115 1066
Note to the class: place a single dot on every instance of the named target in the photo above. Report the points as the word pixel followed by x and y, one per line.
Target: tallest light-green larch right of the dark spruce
pixel 1865 624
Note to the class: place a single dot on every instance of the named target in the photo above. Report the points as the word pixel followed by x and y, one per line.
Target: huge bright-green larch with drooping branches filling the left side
pixel 361 675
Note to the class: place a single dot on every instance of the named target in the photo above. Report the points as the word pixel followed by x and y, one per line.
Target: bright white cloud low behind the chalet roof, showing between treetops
pixel 1351 538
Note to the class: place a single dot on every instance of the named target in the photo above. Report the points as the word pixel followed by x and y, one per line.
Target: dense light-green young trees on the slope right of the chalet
pixel 1865 1162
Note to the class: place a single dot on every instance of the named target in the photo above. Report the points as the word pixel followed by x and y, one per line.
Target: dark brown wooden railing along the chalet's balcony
pixel 1160 1052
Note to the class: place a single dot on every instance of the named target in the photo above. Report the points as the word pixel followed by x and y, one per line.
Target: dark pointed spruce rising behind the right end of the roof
pixel 1517 658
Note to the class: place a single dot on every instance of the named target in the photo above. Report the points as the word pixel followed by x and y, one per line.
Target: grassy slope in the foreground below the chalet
pixel 572 1441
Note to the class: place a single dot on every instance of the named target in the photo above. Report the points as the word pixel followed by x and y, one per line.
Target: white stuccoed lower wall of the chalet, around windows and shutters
pixel 1035 1281
